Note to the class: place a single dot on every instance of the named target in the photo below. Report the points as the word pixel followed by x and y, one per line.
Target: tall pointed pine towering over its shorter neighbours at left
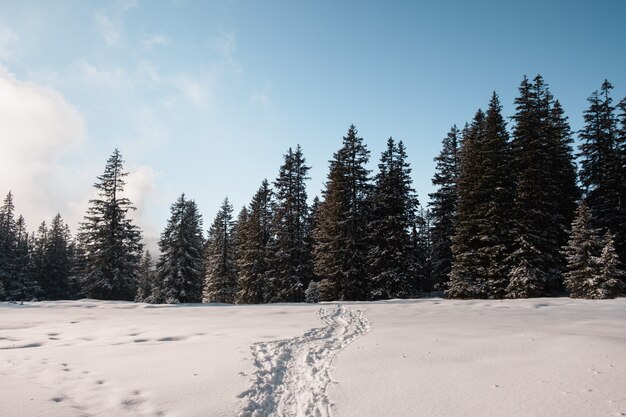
pixel 110 239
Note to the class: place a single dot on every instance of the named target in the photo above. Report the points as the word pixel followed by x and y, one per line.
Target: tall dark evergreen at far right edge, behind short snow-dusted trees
pixel 602 165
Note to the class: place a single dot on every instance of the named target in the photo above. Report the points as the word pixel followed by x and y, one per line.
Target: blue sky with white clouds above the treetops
pixel 204 97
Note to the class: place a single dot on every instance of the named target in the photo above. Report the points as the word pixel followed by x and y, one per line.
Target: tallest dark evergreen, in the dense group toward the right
pixel 545 191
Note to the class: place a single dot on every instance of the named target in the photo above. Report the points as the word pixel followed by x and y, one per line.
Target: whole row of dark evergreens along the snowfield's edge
pixel 512 217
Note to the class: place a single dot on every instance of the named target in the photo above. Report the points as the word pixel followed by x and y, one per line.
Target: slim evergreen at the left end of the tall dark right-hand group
pixel 442 207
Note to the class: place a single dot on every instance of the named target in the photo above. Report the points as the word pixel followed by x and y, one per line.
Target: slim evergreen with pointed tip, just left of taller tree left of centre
pixel 254 242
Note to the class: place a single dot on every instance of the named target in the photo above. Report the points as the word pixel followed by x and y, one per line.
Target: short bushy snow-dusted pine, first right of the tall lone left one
pixel 179 271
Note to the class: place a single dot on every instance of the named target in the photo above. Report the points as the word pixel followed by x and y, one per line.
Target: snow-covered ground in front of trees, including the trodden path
pixel 540 357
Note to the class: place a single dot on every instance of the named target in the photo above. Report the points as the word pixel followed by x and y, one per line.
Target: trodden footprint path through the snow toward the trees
pixel 293 375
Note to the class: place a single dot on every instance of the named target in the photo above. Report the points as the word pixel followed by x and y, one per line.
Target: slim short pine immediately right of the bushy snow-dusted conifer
pixel 220 283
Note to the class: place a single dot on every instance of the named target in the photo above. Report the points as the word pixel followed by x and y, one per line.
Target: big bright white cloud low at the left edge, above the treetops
pixel 38 128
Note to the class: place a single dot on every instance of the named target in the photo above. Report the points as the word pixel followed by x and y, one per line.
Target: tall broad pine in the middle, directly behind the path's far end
pixel 340 233
